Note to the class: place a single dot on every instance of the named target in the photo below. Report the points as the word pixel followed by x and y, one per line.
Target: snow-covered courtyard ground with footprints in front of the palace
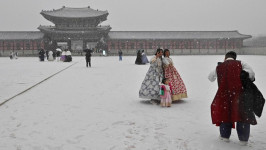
pixel 98 108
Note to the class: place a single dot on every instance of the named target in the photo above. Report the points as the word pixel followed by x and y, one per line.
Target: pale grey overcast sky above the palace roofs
pixel 246 16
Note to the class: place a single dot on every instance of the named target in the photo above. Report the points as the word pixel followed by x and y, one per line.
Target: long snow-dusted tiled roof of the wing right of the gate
pixel 176 35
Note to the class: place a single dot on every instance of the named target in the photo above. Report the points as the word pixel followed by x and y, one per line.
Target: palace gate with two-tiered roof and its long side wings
pixel 79 28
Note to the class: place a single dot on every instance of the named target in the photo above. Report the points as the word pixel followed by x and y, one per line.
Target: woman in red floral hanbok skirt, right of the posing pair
pixel 179 90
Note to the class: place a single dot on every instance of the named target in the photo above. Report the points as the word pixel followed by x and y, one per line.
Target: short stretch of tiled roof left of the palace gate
pixel 20 35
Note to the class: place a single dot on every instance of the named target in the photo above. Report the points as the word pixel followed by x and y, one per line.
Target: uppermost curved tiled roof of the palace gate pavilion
pixel 66 12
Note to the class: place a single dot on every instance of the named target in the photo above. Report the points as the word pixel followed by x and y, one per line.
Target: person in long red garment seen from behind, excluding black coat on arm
pixel 225 106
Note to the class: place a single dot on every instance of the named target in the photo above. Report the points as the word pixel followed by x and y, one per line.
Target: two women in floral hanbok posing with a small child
pixel 162 76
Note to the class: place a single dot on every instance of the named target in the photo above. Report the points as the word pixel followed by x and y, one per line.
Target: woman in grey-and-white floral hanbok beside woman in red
pixel 150 86
